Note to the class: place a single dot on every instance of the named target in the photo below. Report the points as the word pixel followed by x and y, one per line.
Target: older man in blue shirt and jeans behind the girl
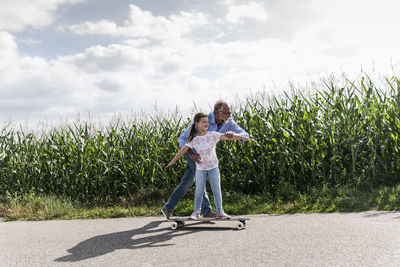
pixel 220 121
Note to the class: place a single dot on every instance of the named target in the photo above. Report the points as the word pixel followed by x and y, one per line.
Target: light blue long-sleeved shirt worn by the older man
pixel 229 126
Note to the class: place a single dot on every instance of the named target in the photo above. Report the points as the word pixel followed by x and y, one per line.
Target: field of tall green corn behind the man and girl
pixel 338 135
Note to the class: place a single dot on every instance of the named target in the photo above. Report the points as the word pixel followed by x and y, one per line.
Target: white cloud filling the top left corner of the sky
pixel 16 15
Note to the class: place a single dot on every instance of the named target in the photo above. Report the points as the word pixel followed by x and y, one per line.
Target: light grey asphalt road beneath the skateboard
pixel 338 239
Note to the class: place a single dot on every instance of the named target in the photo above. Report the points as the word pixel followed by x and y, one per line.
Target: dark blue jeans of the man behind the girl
pixel 184 185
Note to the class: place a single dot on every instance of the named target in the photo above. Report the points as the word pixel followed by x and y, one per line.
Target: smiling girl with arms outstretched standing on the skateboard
pixel 204 142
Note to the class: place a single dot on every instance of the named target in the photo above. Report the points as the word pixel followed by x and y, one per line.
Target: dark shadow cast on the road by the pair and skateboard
pixel 103 244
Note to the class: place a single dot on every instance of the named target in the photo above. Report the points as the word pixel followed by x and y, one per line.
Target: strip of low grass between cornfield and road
pixel 324 199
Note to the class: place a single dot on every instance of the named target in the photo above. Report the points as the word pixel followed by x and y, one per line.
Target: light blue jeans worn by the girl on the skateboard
pixel 215 182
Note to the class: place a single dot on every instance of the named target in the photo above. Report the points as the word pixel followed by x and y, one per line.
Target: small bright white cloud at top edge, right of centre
pixel 251 11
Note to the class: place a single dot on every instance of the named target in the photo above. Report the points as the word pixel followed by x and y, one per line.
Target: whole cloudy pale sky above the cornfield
pixel 63 59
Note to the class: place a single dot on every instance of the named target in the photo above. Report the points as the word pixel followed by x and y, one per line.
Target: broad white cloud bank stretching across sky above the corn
pixel 161 59
